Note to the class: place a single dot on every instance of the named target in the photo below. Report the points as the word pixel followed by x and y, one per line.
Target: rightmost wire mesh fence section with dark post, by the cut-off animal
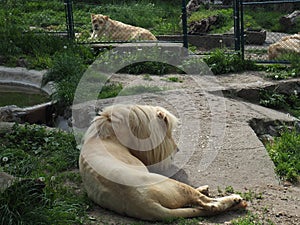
pixel 253 40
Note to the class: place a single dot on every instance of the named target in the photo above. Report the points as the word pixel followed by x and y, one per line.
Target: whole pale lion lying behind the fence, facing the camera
pixel 104 27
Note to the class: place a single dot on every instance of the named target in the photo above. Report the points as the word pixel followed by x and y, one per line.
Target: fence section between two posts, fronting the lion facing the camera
pixel 110 29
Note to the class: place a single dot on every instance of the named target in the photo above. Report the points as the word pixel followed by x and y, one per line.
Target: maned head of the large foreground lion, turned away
pixel 145 130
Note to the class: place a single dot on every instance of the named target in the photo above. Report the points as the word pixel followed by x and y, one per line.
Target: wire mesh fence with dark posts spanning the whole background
pixel 73 19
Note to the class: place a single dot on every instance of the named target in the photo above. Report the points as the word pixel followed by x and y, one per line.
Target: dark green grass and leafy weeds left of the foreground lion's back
pixel 49 191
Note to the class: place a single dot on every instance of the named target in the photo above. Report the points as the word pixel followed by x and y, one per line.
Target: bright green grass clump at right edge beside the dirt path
pixel 285 154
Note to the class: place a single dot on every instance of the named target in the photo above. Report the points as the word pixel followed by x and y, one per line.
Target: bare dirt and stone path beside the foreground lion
pixel 217 145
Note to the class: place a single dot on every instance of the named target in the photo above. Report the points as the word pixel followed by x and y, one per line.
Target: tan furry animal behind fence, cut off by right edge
pixel 286 44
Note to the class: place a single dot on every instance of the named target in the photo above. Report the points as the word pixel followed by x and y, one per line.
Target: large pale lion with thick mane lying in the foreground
pixel 115 175
